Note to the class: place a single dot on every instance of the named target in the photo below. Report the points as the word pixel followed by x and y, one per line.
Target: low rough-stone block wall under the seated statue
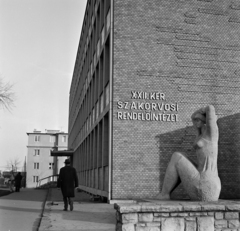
pixel 178 216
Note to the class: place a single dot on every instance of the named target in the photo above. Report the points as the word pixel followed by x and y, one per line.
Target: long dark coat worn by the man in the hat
pixel 68 181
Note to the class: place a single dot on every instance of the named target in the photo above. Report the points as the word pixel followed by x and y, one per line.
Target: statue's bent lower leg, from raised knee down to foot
pixel 171 179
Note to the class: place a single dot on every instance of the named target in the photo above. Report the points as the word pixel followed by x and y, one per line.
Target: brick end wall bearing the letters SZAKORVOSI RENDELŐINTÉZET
pixel 189 50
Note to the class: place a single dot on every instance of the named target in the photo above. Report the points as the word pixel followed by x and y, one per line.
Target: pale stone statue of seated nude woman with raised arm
pixel 200 181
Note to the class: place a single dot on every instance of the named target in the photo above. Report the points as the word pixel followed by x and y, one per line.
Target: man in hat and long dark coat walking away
pixel 68 181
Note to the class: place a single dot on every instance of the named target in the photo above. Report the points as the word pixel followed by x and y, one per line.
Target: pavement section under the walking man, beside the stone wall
pixel 86 216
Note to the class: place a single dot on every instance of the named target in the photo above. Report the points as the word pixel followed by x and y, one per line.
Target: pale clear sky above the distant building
pixel 38 47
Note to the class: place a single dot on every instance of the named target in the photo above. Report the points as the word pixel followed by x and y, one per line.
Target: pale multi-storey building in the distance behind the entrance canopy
pixel 40 163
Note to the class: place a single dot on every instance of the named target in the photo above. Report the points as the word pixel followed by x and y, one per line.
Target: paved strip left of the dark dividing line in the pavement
pixel 21 211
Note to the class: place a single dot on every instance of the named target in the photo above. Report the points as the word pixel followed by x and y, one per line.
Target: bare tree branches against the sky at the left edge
pixel 6 95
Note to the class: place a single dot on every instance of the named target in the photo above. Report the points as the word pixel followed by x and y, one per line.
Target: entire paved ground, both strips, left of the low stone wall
pixel 25 211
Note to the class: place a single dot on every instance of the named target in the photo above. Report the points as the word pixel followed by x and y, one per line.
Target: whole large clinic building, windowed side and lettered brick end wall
pixel 159 61
